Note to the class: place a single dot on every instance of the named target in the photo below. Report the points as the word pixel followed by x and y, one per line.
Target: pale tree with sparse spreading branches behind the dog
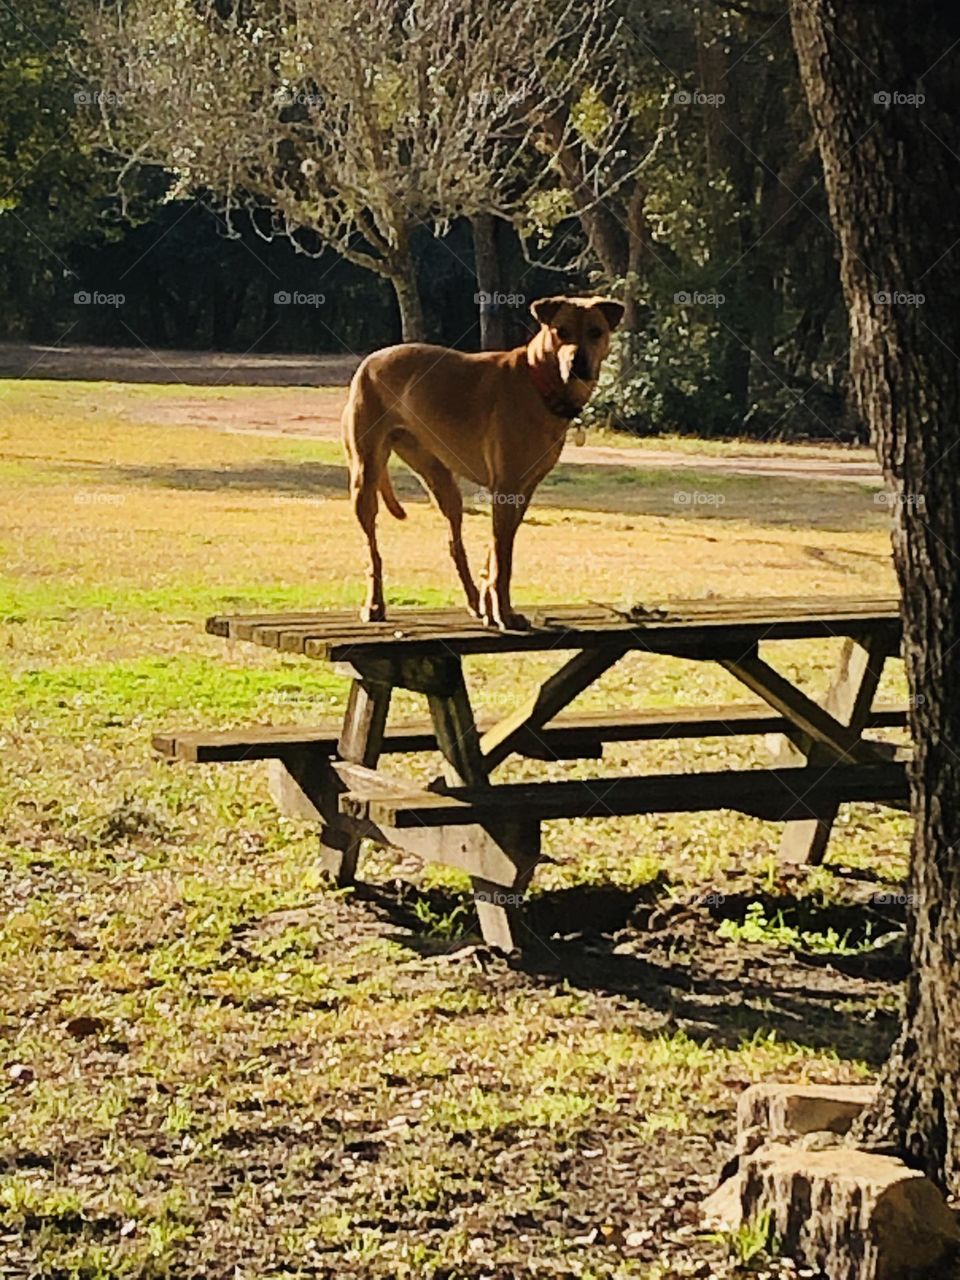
pixel 346 124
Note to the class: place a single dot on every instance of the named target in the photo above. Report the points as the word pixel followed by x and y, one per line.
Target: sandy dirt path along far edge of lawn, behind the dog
pixel 303 396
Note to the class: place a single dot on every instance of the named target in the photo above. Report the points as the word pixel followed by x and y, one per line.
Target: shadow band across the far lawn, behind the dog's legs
pixel 696 497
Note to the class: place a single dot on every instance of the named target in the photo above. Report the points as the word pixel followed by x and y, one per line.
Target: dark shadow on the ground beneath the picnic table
pixel 669 958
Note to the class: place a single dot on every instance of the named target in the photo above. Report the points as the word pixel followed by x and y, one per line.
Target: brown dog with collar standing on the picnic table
pixel 499 419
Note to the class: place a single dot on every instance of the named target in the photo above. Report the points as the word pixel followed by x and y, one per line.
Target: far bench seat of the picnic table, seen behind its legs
pixel 578 735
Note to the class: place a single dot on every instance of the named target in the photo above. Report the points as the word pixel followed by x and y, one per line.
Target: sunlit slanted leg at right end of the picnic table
pixel 849 701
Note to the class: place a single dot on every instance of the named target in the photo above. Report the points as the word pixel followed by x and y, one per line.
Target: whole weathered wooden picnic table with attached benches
pixel 492 830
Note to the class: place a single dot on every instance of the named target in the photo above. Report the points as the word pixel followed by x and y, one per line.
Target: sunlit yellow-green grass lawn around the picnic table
pixel 216 1067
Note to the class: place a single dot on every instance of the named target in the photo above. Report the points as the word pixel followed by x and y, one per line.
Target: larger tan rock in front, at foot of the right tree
pixel 852 1214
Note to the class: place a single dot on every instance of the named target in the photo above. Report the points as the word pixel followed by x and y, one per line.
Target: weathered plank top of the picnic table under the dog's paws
pixel 700 629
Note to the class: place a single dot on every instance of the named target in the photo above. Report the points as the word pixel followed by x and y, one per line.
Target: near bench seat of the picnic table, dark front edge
pixel 775 794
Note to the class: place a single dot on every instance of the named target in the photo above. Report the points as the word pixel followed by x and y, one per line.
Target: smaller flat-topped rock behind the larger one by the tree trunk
pixel 793 1110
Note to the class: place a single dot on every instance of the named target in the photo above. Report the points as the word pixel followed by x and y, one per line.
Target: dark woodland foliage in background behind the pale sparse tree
pixel 708 218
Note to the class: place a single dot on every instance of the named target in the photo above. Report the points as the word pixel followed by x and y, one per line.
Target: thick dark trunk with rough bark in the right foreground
pixel 892 181
